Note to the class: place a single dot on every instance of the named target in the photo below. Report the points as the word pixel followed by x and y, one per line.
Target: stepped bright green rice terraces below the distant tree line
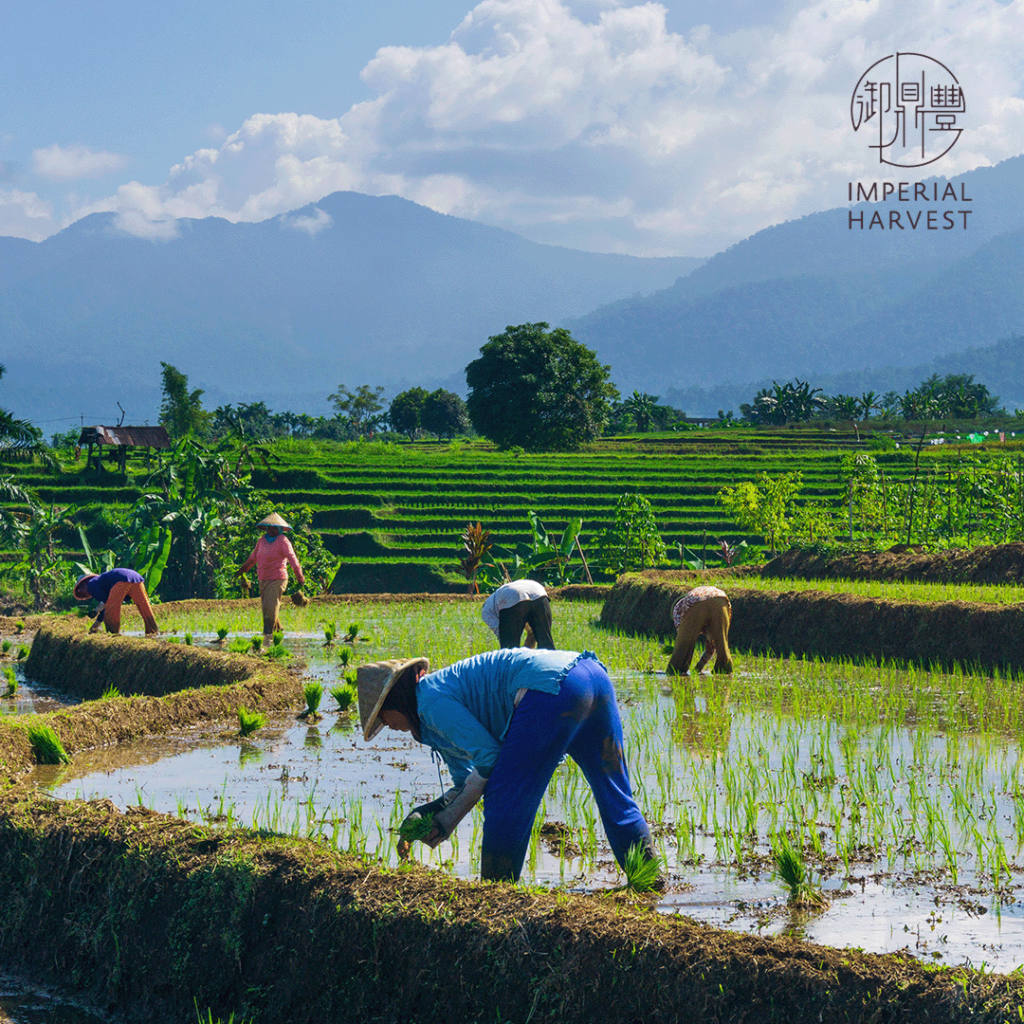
pixel 394 515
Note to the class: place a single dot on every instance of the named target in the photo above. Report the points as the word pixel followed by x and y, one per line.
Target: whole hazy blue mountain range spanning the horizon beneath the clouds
pixel 358 289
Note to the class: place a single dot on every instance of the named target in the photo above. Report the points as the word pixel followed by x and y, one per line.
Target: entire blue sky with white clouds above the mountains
pixel 672 129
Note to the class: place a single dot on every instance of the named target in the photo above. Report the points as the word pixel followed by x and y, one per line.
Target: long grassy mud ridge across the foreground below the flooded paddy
pixel 144 913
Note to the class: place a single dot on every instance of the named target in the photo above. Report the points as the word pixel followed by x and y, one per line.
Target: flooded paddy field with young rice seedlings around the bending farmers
pixel 902 790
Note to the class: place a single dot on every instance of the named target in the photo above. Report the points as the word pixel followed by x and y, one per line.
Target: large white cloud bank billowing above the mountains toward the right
pixel 595 126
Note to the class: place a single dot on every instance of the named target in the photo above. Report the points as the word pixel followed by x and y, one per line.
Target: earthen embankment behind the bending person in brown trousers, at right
pixel 978 636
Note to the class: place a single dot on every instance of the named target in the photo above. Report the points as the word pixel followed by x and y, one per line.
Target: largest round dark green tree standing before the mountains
pixel 539 390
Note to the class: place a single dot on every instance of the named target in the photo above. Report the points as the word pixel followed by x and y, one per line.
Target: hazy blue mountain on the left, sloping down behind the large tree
pixel 354 289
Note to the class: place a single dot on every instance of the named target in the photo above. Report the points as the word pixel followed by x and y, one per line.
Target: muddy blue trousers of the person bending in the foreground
pixel 582 720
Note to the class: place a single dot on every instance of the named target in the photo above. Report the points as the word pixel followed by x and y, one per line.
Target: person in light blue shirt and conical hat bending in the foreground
pixel 502 721
